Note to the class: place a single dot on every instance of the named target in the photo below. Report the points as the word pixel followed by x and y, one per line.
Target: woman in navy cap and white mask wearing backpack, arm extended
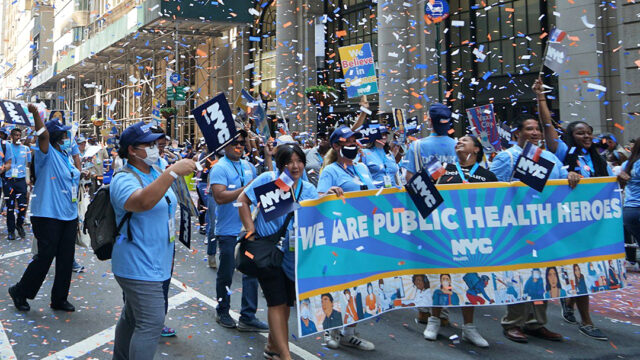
pixel 141 264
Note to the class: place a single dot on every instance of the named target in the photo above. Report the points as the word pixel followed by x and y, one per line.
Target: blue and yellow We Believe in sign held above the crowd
pixel 358 67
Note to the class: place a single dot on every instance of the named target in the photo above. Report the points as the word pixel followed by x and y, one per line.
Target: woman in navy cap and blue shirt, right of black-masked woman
pixel 381 164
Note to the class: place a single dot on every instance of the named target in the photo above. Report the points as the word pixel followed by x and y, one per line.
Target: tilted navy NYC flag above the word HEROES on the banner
pixel 532 169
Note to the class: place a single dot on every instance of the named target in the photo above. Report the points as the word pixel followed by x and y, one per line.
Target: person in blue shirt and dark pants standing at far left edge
pixel 16 184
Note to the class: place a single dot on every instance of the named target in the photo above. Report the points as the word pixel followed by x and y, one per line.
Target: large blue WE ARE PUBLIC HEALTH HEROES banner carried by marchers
pixel 488 243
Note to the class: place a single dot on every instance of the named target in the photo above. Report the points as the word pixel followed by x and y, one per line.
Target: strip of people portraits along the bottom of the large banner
pixel 335 309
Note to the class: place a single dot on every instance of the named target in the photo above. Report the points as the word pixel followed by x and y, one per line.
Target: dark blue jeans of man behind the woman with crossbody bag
pixel 226 267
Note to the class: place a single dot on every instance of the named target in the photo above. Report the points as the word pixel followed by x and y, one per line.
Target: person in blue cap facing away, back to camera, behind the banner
pixel 437 145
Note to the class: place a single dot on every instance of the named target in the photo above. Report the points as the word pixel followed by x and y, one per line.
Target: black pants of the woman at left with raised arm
pixel 56 239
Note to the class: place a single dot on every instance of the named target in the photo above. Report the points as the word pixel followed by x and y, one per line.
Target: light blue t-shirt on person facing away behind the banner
pixel 435 146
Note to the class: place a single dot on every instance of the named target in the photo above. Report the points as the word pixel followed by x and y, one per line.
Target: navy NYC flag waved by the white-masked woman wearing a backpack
pixel 216 122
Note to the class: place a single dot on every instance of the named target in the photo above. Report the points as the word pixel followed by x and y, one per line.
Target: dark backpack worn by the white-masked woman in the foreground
pixel 100 220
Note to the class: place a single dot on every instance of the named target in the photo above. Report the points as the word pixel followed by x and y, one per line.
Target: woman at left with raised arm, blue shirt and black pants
pixel 54 216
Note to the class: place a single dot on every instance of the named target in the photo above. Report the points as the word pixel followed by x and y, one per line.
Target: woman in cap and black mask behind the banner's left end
pixel 340 173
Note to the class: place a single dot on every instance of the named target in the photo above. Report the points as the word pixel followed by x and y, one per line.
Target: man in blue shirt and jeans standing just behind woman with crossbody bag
pixel 228 178
